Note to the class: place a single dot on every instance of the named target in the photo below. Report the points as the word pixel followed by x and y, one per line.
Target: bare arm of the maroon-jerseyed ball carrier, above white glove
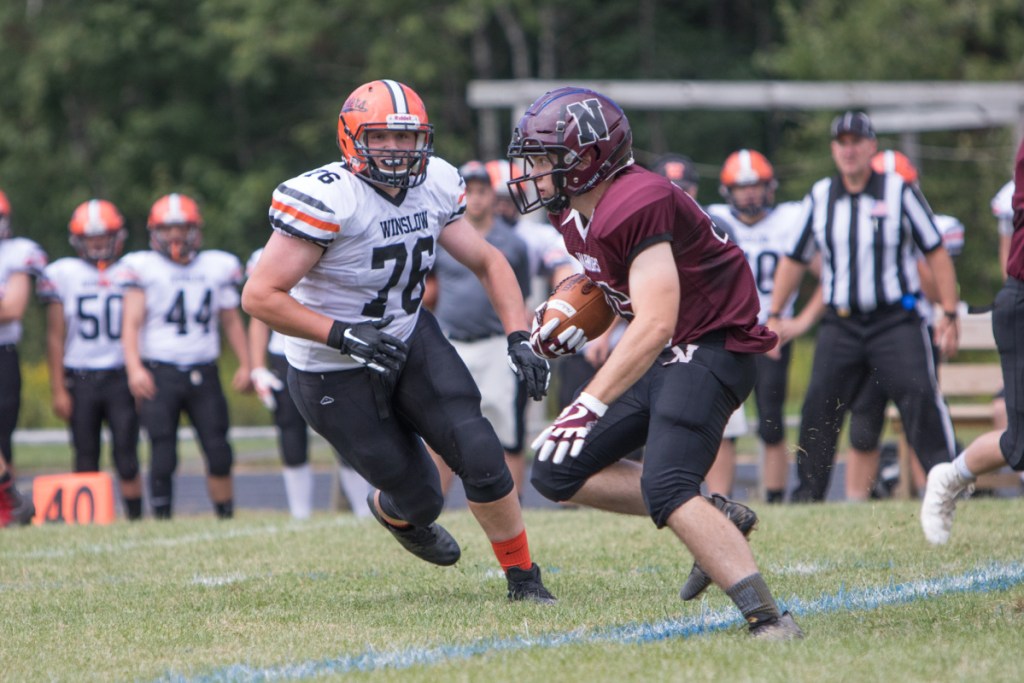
pixel 655 294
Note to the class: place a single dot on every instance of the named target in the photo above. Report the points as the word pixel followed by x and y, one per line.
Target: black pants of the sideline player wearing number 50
pixel 100 396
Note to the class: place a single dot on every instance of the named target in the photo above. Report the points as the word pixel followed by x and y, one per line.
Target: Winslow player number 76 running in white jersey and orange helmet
pixel 343 276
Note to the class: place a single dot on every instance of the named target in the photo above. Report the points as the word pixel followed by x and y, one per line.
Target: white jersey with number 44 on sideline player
pixel 183 303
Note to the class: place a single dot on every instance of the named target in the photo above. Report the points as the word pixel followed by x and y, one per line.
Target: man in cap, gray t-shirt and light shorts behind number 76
pixel 468 319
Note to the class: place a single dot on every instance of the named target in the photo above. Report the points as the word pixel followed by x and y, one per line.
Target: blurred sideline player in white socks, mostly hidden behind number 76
pixel 267 351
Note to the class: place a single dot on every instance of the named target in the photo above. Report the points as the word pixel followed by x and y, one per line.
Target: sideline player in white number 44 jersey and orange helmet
pixel 177 301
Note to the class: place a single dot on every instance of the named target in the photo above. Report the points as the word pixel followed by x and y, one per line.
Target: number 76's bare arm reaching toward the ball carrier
pixel 462 241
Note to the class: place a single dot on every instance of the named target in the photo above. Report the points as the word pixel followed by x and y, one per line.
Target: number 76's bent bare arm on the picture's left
pixel 267 295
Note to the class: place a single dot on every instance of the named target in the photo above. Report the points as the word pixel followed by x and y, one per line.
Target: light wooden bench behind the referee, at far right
pixel 969 389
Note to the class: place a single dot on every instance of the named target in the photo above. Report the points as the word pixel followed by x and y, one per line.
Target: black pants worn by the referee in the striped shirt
pixel 893 349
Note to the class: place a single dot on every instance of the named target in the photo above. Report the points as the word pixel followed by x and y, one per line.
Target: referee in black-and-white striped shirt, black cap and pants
pixel 870 229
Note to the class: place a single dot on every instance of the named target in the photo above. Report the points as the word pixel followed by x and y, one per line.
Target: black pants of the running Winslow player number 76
pixel 377 429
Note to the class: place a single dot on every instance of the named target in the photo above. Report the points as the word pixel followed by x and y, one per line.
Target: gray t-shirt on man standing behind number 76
pixel 463 308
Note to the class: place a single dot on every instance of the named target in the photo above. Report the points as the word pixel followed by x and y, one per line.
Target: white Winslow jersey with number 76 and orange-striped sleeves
pixel 377 249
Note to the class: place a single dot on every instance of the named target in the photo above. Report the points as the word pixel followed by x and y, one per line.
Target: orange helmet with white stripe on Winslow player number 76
pixel 387 106
